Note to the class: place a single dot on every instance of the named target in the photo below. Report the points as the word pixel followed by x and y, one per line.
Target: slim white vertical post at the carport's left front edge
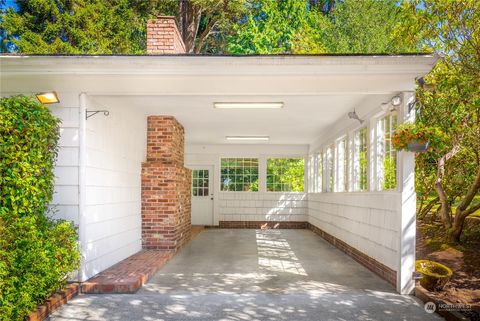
pixel 82 183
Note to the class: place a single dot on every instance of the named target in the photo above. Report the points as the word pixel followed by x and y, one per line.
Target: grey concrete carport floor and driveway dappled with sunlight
pixel 254 275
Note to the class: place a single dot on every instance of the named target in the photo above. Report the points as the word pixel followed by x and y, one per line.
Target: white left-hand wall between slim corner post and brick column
pixel 115 147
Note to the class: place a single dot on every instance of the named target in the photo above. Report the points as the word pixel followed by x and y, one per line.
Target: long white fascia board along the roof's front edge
pixel 216 65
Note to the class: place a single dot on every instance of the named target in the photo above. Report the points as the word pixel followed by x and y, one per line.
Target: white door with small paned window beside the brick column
pixel 202 195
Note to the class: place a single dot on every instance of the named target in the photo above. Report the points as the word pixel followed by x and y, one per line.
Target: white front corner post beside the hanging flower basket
pixel 407 217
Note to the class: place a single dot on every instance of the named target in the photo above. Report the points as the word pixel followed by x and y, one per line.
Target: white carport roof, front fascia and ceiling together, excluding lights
pixel 316 90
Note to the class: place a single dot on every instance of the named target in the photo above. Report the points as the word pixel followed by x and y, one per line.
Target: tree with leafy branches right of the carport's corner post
pixel 449 97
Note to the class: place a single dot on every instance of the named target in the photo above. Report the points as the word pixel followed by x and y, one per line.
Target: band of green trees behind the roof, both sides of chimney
pixel 208 26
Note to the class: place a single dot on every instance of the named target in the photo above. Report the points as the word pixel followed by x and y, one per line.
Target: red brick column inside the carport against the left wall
pixel 166 184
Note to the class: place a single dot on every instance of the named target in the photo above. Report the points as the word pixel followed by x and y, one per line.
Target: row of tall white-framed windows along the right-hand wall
pixel 344 165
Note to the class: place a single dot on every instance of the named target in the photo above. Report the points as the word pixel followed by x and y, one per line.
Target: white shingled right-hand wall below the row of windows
pixel 366 221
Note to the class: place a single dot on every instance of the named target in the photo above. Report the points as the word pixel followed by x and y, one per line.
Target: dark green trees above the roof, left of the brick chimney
pixel 74 27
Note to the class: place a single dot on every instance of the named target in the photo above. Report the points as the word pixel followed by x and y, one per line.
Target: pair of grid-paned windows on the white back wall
pixel 242 174
